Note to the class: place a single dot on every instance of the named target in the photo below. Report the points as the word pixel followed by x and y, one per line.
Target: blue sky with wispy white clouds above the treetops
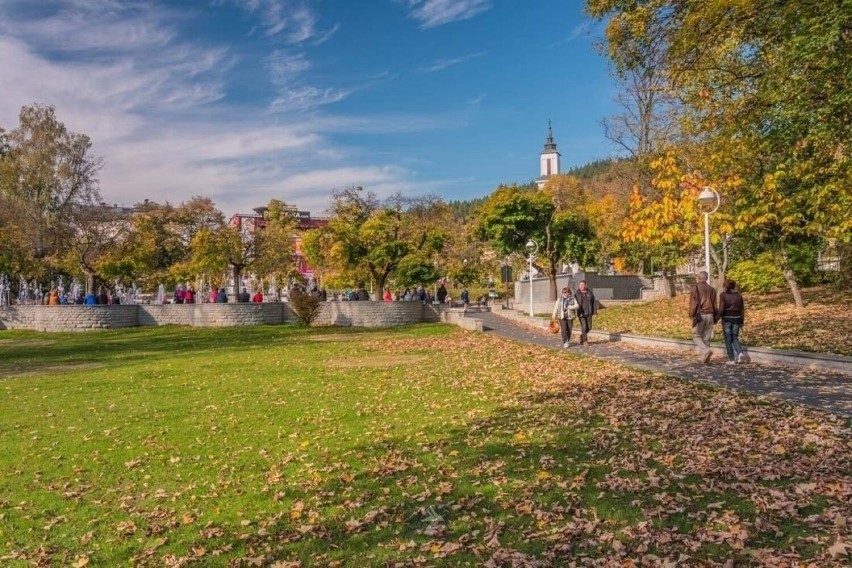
pixel 244 101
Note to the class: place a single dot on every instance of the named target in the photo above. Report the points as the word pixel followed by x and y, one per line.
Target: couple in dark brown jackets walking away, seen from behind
pixel 705 312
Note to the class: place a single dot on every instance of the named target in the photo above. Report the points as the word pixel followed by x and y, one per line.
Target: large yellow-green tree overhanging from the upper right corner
pixel 764 86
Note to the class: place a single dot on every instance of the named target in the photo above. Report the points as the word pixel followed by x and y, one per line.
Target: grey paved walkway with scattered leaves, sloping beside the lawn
pixel 828 391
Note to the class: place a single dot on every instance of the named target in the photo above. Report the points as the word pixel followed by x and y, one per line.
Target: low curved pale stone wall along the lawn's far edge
pixel 82 318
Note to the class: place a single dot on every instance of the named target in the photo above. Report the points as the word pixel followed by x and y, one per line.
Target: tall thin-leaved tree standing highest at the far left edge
pixel 47 171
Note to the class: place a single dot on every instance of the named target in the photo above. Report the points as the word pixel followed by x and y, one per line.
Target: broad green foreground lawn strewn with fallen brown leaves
pixel 414 446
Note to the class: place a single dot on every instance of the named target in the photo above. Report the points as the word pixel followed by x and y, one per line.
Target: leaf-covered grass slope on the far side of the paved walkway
pixel 772 320
